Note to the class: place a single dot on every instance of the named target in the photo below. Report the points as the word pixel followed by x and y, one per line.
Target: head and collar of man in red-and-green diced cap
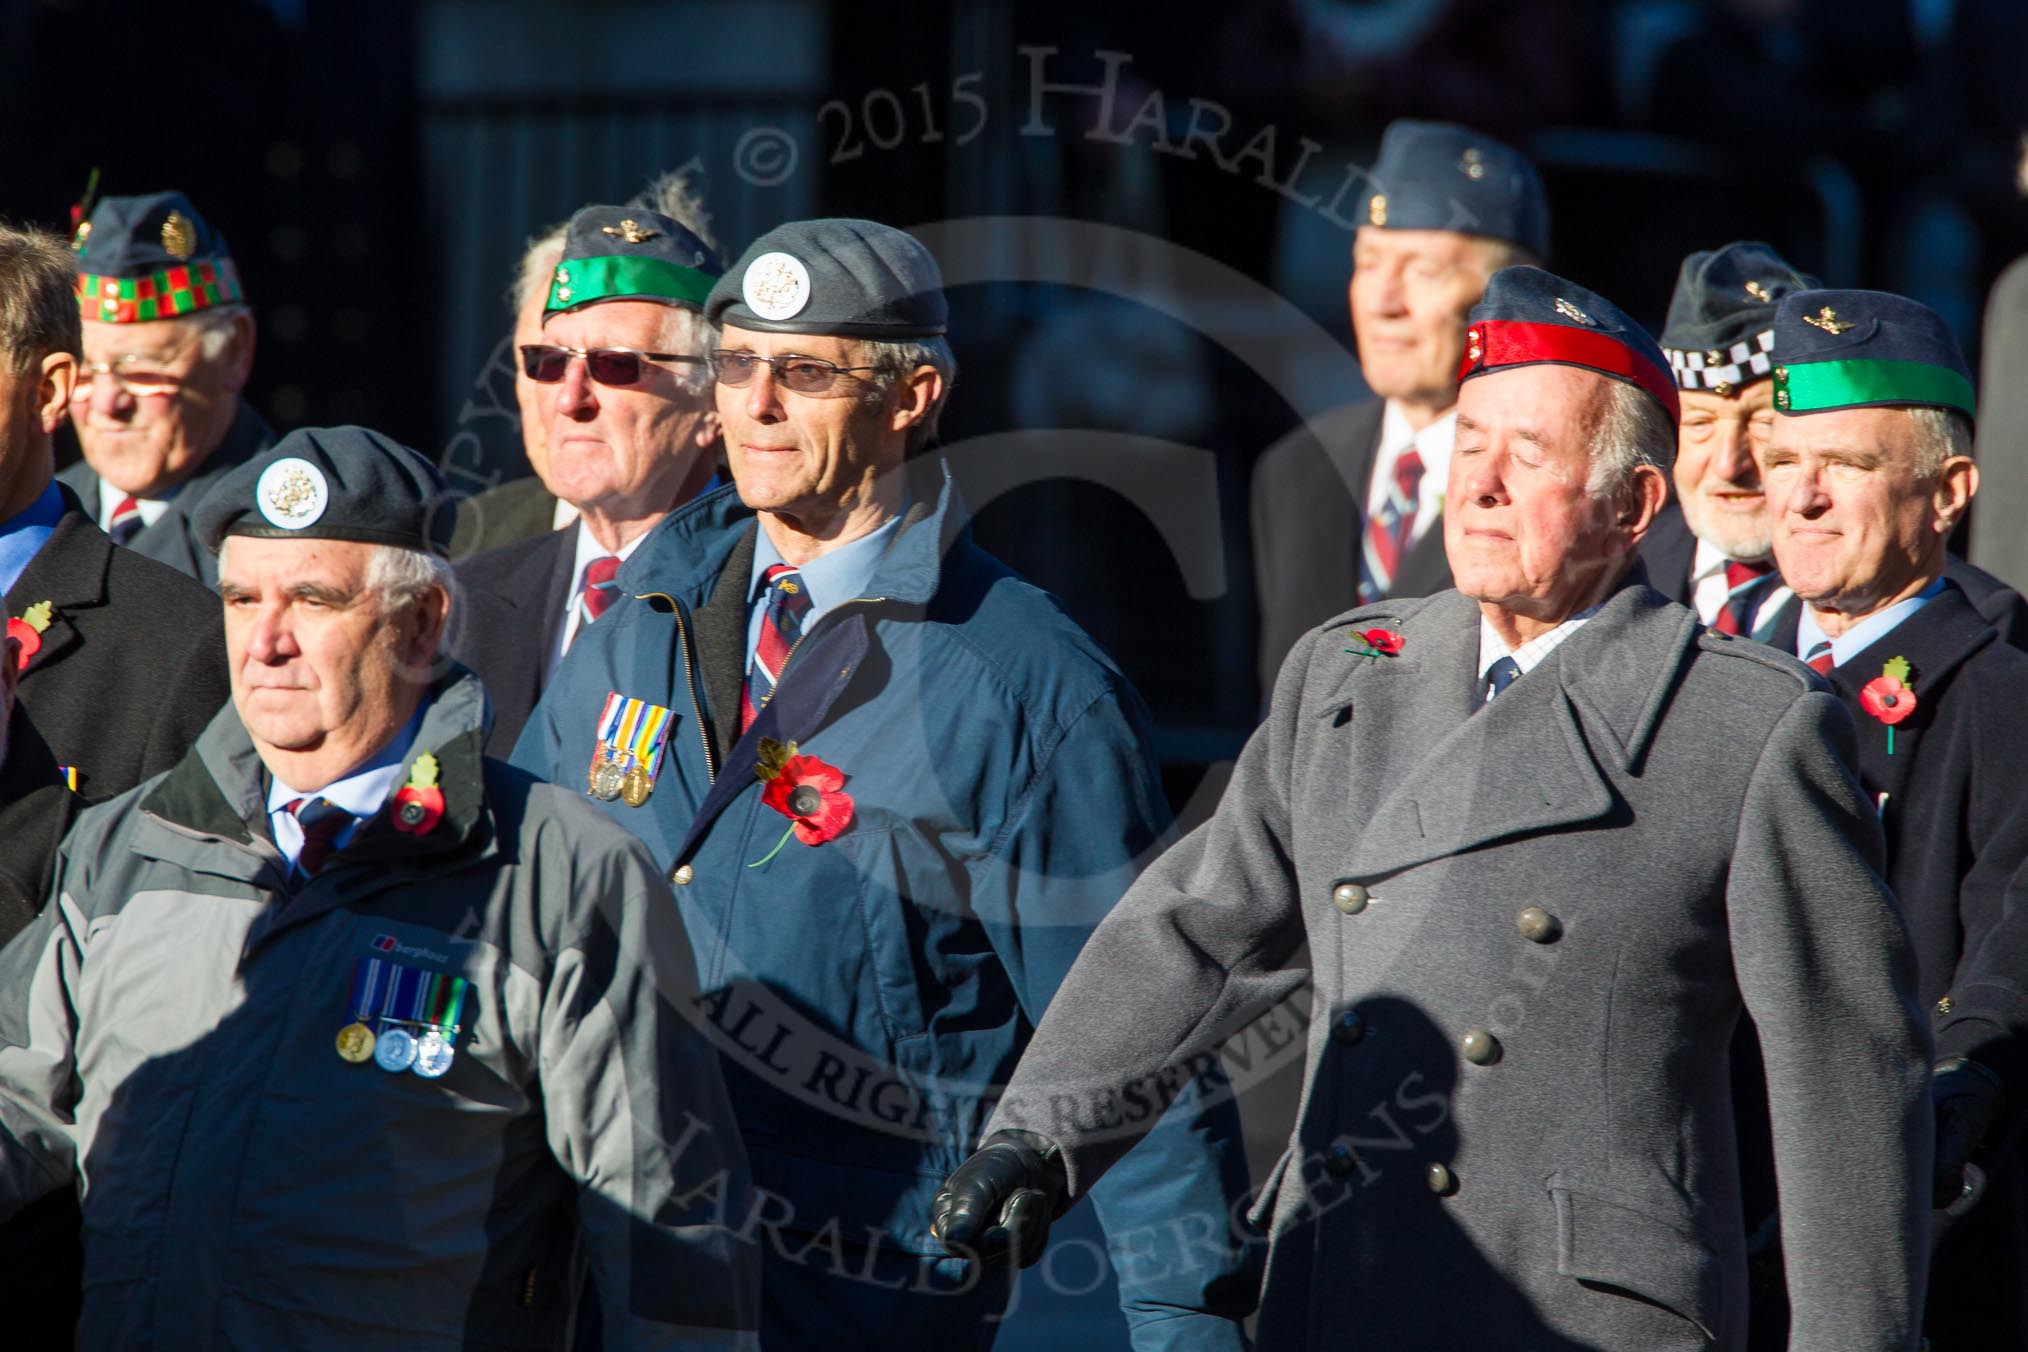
pixel 169 346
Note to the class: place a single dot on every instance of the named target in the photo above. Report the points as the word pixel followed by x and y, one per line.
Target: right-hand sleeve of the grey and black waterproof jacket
pixel 638 1114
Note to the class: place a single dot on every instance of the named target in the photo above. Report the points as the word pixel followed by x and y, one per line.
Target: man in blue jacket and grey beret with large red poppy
pixel 895 790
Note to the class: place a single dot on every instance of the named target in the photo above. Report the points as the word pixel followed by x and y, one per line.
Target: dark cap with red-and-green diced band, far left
pixel 145 258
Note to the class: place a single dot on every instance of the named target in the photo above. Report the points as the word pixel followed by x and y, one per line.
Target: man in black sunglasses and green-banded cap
pixel 622 384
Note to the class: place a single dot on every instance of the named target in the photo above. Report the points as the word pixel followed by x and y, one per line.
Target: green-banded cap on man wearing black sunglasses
pixel 632 254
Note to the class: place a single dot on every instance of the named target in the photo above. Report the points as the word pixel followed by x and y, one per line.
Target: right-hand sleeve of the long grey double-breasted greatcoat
pixel 1828 974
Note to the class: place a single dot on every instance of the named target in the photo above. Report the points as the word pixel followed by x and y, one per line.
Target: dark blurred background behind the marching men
pixel 1143 210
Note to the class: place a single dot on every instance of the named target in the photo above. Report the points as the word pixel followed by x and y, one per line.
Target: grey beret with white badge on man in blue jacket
pixel 837 277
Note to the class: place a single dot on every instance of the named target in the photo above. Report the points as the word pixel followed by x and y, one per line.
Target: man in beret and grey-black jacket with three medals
pixel 350 1037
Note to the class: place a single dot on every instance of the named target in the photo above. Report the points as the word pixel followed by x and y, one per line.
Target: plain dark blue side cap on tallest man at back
pixel 1437 175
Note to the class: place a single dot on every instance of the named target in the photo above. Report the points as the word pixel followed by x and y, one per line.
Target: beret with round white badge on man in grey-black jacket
pixel 332 483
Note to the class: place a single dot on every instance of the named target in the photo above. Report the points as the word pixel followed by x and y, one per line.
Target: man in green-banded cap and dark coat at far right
pixel 1869 469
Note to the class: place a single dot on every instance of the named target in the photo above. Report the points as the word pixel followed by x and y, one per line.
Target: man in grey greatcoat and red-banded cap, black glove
pixel 1546 838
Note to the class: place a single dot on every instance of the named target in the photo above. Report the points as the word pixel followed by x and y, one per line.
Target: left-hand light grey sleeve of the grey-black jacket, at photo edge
pixel 40 976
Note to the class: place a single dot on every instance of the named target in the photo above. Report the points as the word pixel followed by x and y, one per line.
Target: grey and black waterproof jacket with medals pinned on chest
pixel 167 1039
